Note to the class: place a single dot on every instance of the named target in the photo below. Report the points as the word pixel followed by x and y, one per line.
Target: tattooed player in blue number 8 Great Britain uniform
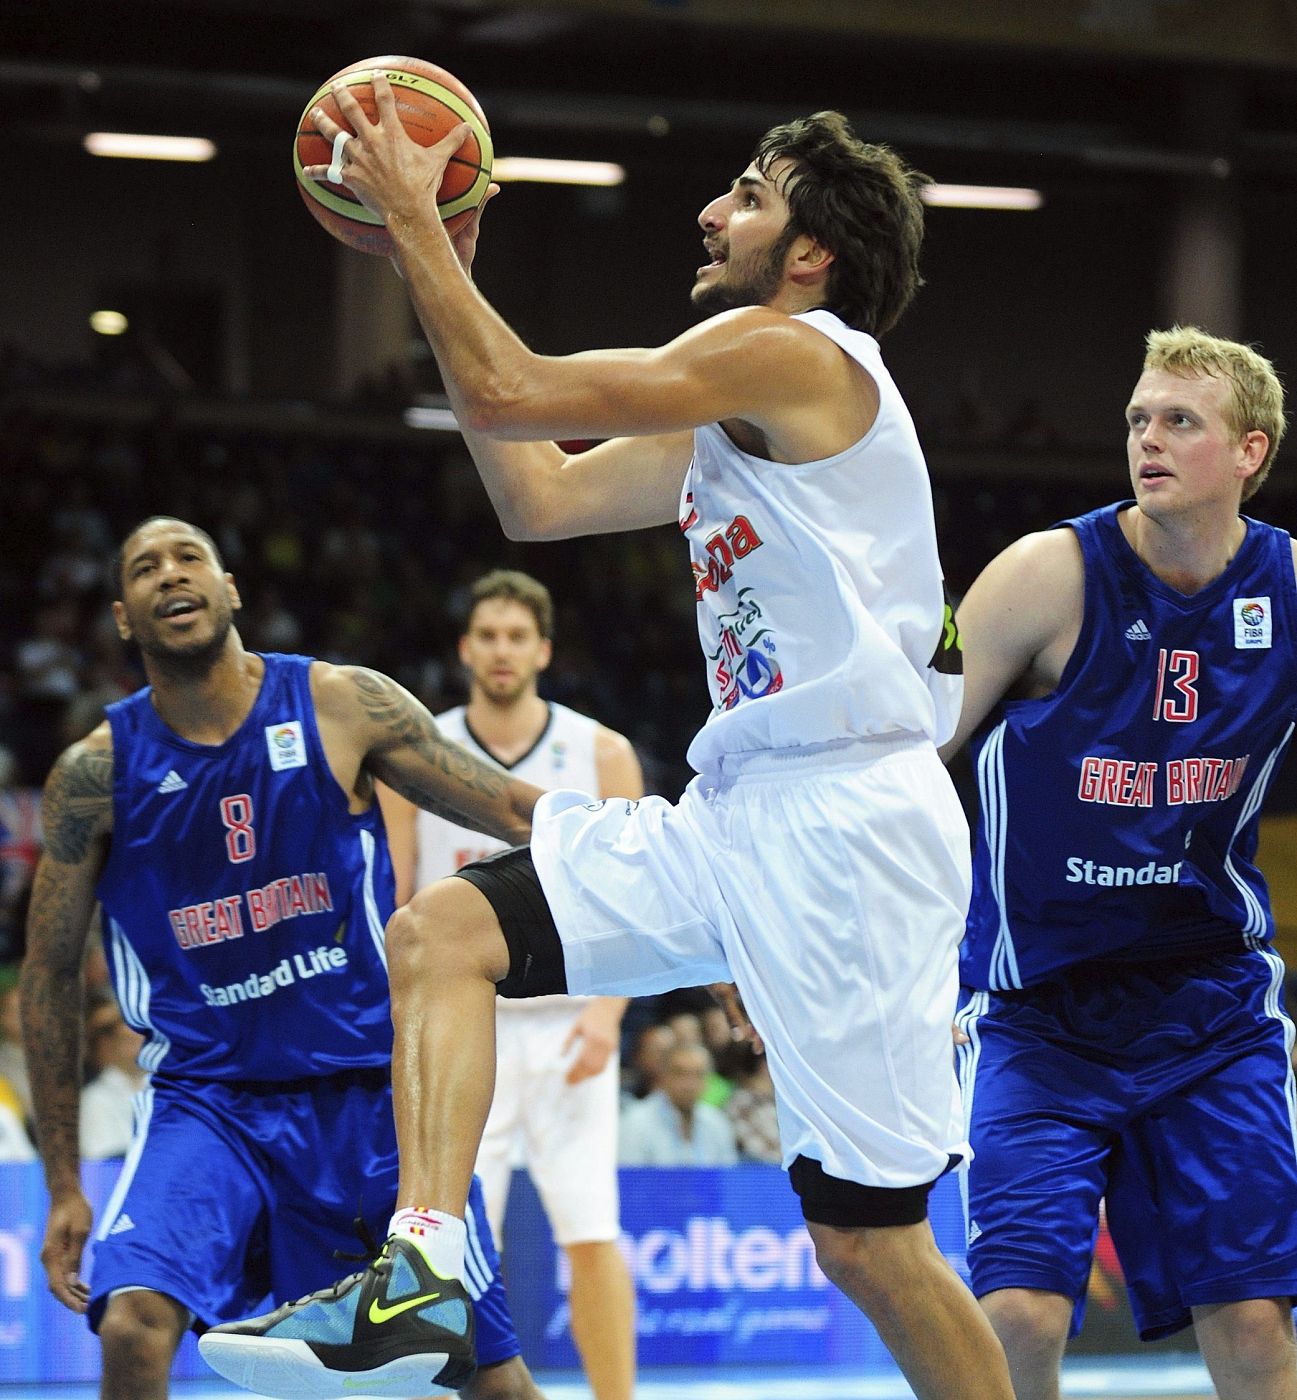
pixel 226 820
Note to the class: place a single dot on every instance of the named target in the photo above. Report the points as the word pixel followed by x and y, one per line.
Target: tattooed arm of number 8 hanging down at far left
pixel 78 821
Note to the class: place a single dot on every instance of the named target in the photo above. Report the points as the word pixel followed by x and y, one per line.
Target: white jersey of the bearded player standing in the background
pixel 562 758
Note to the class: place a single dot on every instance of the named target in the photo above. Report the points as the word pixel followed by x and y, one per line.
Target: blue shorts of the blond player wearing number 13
pixel 1166 1093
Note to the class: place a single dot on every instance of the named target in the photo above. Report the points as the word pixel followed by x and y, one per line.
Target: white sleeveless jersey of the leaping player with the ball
pixel 820 597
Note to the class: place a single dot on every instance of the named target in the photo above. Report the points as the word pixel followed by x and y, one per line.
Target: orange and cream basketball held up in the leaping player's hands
pixel 431 101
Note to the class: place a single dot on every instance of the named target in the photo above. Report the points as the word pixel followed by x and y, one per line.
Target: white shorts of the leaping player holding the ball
pixel 831 885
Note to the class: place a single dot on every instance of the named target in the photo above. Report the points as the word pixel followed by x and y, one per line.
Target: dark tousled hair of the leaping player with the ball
pixel 863 204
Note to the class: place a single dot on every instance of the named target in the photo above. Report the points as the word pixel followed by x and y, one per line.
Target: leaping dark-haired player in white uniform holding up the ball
pixel 820 859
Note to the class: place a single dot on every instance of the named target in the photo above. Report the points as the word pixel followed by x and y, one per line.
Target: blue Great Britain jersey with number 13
pixel 1118 814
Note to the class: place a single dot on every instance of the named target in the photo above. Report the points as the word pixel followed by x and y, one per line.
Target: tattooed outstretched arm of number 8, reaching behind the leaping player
pixel 400 744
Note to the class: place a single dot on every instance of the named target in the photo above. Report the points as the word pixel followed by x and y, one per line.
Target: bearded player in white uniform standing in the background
pixel 557 1058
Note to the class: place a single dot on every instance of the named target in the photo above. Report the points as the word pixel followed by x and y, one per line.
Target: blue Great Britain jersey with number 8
pixel 244 904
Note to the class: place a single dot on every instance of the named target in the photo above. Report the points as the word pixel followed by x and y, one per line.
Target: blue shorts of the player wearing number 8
pixel 232 1200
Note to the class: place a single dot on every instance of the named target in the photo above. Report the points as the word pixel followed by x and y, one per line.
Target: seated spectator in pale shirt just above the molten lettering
pixel 673 1128
